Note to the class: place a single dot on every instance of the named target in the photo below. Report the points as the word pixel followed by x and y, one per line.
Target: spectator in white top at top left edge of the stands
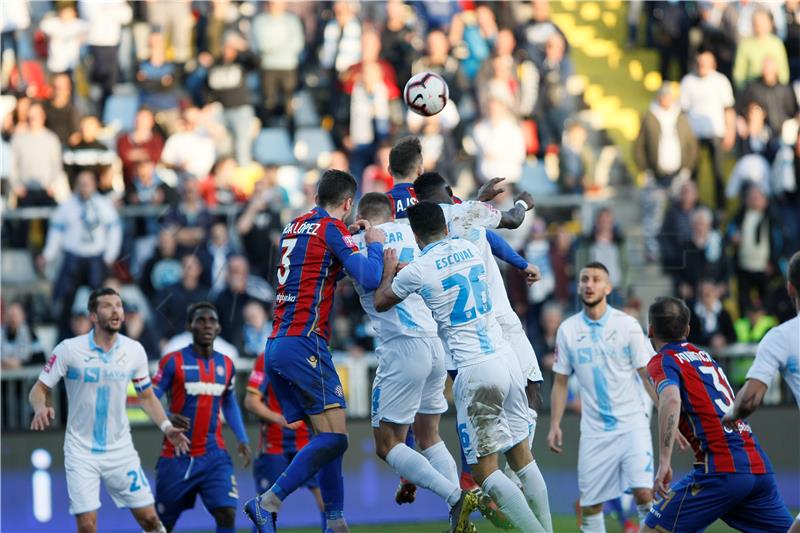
pixel 65 35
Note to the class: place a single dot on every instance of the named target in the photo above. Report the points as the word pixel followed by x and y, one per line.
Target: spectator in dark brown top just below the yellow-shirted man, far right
pixel 775 98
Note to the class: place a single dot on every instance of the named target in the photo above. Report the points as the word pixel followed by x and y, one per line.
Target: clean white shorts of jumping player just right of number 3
pixel 410 380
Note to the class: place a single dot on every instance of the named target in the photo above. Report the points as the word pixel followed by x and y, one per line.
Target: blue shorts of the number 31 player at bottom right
pixel 746 502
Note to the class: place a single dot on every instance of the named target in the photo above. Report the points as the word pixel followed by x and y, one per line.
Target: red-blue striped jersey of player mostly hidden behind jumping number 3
pixel 274 439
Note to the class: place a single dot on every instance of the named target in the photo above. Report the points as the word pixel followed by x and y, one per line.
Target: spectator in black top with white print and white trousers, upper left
pixel 227 84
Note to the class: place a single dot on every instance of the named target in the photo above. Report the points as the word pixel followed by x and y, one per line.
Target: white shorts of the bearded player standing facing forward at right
pixel 608 465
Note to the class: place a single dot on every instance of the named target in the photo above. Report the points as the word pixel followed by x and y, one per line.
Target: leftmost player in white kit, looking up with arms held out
pixel 97 368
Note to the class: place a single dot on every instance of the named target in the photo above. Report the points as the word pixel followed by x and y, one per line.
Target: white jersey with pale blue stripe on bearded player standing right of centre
pixel 605 355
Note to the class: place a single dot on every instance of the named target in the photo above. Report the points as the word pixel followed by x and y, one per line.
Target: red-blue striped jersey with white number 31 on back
pixel 706 396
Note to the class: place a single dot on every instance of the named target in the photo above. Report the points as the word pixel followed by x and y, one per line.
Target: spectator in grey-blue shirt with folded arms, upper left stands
pixel 157 77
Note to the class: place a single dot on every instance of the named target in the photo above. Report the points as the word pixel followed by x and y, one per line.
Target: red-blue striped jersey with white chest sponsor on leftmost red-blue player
pixel 195 387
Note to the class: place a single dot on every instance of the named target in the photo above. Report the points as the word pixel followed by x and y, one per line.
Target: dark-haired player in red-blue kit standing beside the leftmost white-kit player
pixel 200 385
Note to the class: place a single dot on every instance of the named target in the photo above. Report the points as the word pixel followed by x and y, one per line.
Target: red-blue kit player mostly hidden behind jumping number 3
pixel 279 441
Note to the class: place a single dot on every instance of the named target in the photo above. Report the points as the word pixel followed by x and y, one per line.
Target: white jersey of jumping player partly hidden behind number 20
pixel 470 220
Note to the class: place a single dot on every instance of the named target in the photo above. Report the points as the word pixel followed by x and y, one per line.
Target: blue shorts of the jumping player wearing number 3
pixel 301 372
